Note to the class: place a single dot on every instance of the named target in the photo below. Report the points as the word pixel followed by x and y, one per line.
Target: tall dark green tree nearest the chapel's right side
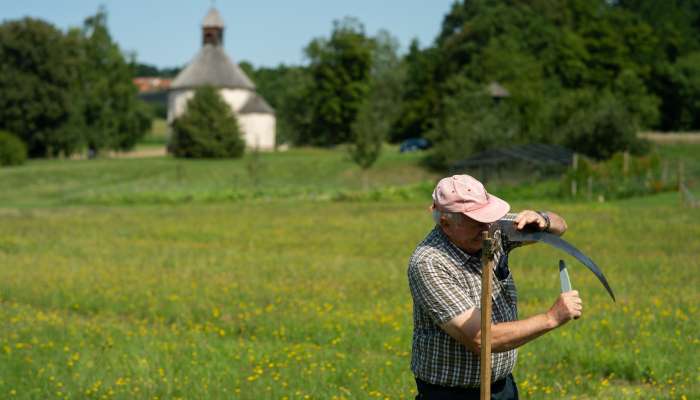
pixel 340 71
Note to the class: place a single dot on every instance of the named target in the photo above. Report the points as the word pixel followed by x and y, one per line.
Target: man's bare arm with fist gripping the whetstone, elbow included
pixel 466 327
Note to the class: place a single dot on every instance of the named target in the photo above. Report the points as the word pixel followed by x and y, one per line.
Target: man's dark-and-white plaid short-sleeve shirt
pixel 445 281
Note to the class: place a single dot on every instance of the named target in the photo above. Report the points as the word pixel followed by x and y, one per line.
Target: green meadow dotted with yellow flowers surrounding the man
pixel 277 276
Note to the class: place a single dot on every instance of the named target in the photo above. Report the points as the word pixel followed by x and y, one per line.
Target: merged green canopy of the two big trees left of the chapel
pixel 63 92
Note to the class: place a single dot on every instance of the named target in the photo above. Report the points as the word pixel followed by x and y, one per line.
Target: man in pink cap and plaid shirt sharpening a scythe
pixel 444 275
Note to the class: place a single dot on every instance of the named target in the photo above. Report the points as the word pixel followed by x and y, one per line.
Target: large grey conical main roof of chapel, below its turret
pixel 211 66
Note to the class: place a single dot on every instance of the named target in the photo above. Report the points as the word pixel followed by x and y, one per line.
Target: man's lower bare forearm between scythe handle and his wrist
pixel 510 335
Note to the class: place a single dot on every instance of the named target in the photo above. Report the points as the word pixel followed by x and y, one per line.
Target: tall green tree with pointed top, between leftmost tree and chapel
pixel 114 117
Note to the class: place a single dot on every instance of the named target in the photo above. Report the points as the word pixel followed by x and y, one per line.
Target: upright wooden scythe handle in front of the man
pixel 486 289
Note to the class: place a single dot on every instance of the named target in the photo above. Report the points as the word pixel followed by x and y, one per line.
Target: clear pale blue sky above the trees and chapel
pixel 167 33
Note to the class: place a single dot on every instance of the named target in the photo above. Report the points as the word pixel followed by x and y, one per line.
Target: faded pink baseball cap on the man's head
pixel 466 195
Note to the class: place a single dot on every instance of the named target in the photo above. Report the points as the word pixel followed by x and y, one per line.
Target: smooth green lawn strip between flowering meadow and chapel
pixel 300 173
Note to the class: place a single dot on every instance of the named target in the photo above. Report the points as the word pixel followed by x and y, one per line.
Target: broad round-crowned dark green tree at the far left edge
pixel 39 67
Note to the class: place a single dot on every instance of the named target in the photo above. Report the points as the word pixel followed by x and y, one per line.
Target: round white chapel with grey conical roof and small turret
pixel 211 66
